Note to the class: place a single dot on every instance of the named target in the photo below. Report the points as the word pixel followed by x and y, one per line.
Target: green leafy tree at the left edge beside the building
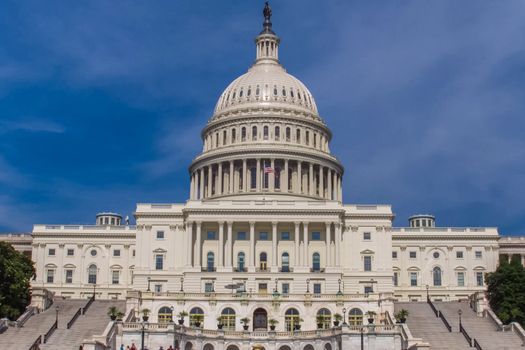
pixel 16 270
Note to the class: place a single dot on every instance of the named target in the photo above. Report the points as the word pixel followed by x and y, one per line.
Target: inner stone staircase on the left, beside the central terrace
pixel 93 322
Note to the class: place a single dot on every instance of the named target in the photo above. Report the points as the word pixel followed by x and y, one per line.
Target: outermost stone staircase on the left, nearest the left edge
pixel 22 338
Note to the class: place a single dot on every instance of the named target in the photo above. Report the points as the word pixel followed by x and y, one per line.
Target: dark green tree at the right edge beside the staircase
pixel 506 291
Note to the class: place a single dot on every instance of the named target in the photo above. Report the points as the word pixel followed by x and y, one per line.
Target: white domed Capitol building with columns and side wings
pixel 265 246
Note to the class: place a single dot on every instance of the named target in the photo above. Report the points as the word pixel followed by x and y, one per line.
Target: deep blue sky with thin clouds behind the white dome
pixel 102 102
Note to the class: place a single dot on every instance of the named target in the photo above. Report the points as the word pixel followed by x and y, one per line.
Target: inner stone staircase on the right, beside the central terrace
pixel 424 324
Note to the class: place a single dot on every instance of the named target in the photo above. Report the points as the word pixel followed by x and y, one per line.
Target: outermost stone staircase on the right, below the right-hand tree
pixel 483 329
